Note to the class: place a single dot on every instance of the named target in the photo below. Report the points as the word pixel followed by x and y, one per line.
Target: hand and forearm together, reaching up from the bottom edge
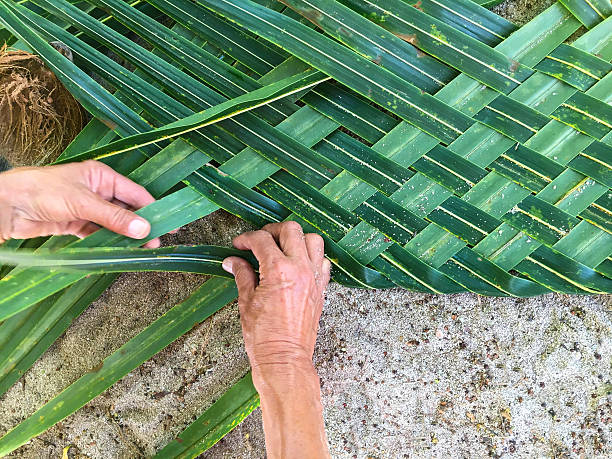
pixel 280 318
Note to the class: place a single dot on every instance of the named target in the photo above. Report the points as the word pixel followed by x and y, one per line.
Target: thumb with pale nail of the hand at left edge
pixel 113 217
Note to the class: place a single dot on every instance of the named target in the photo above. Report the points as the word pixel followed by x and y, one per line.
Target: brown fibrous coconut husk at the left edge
pixel 38 116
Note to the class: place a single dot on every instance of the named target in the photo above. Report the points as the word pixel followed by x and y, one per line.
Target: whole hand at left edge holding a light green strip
pixel 71 199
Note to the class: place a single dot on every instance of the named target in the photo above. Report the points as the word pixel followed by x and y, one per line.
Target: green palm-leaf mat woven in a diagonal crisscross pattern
pixel 451 151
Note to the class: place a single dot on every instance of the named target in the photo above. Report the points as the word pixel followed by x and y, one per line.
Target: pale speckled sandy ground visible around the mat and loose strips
pixel 402 374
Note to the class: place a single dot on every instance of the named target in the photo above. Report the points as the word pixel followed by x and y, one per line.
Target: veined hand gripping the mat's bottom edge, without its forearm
pixel 280 313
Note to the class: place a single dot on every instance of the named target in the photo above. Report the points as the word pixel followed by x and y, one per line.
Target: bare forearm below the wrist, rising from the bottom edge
pixel 292 413
